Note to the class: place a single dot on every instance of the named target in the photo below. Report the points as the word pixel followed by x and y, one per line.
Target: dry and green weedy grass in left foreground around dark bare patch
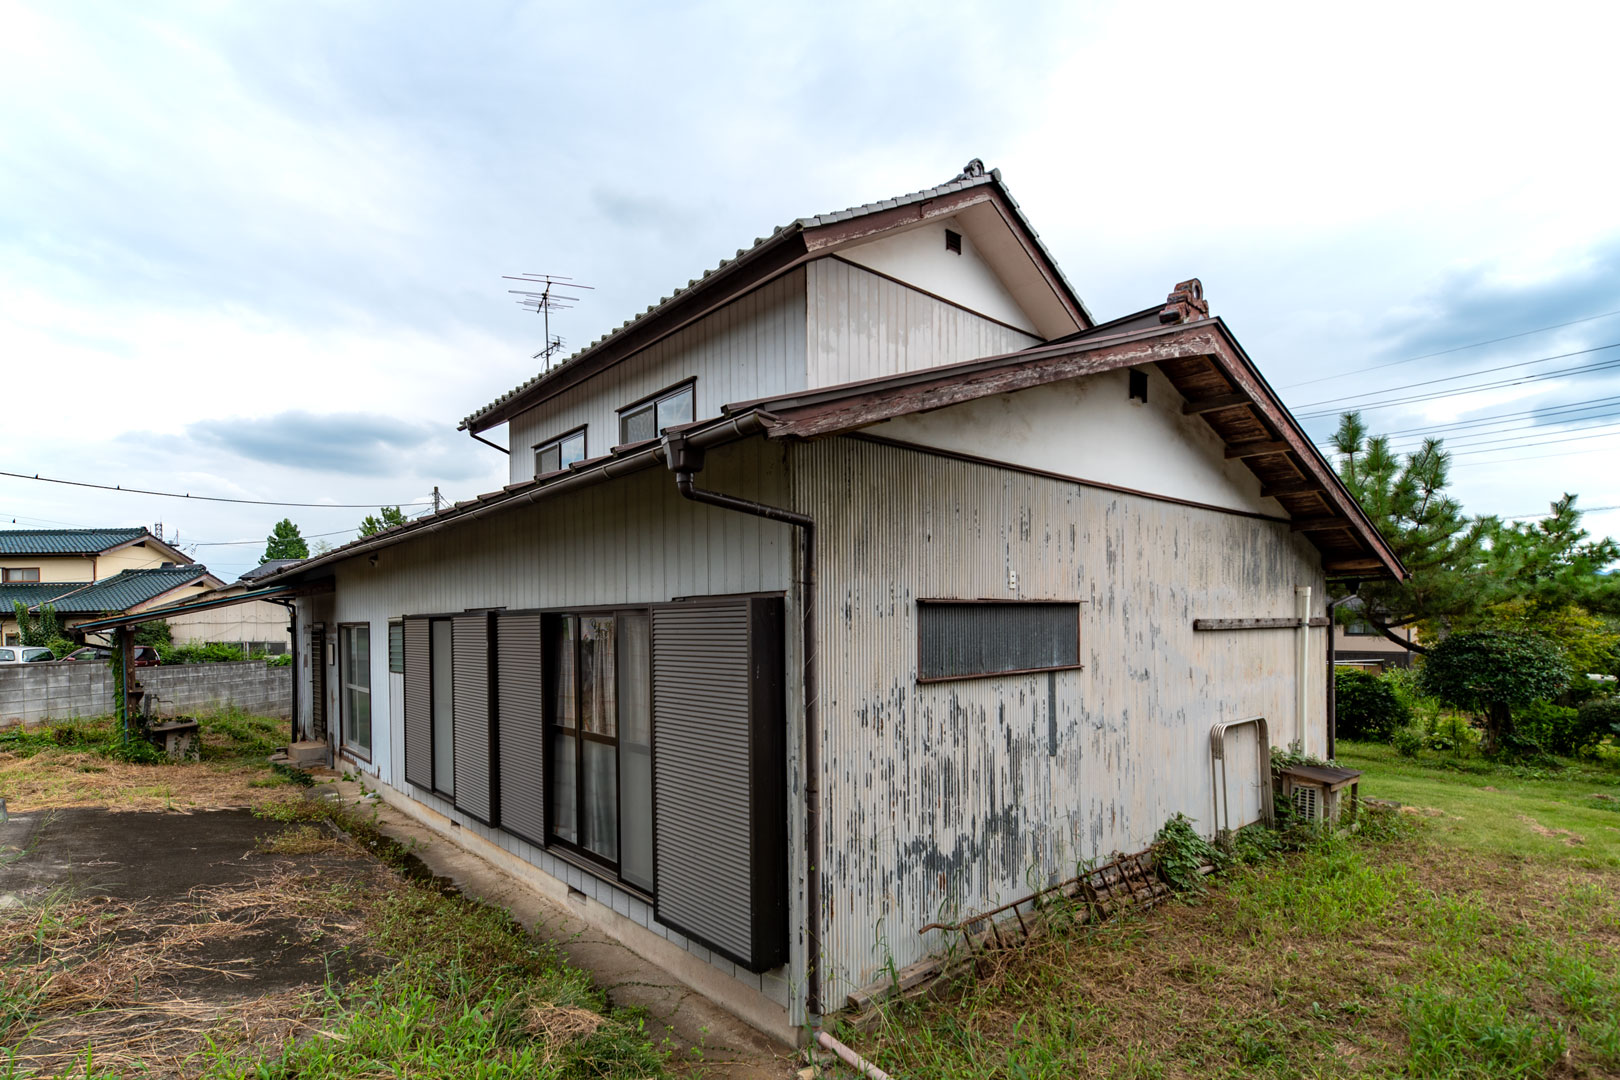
pixel 454 989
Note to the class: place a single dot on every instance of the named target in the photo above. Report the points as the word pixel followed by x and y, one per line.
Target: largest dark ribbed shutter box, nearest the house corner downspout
pixel 718 778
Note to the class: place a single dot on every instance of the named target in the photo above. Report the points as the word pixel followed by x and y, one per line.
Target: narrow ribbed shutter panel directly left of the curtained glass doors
pixel 521 726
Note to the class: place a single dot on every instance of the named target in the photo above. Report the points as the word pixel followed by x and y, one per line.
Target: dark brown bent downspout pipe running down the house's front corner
pixel 686 461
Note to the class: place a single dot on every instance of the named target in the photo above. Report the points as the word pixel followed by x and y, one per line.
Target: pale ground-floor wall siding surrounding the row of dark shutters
pixel 629 542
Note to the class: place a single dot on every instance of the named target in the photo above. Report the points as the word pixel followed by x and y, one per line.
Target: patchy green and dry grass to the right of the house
pixel 1375 956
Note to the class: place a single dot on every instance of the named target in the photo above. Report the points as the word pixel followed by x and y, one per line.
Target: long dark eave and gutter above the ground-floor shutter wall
pixel 706 435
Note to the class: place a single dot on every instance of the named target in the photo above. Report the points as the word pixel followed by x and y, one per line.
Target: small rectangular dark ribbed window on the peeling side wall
pixel 966 640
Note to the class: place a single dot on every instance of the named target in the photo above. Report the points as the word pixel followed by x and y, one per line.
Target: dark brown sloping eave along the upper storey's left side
pixel 740 278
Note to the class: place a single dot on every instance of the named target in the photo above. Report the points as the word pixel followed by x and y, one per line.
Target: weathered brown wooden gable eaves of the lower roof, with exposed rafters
pixel 1200 359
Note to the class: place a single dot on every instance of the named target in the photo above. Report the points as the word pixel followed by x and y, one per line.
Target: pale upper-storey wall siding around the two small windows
pixel 751 349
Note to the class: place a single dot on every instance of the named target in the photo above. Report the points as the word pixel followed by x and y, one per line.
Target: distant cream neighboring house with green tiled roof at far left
pixel 49 566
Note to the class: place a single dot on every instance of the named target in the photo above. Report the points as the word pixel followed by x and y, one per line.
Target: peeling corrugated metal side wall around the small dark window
pixel 955 797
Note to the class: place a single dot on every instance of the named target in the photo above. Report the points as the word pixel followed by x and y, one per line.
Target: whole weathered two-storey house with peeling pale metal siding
pixel 863 582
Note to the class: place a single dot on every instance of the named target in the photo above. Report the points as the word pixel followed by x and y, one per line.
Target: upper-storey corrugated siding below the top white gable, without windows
pixel 864 326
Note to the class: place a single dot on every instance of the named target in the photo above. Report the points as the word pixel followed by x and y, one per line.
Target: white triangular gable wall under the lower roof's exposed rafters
pixel 1093 430
